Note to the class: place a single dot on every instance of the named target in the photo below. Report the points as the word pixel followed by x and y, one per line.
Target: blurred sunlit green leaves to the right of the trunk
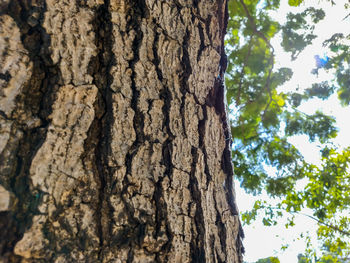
pixel 263 118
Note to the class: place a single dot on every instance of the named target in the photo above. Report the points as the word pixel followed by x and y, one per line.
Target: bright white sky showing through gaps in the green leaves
pixel 261 241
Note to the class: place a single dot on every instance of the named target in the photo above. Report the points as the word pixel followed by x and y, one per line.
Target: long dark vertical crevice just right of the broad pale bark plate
pixel 99 133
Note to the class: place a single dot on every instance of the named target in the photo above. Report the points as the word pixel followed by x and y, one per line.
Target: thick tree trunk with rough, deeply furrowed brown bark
pixel 113 135
